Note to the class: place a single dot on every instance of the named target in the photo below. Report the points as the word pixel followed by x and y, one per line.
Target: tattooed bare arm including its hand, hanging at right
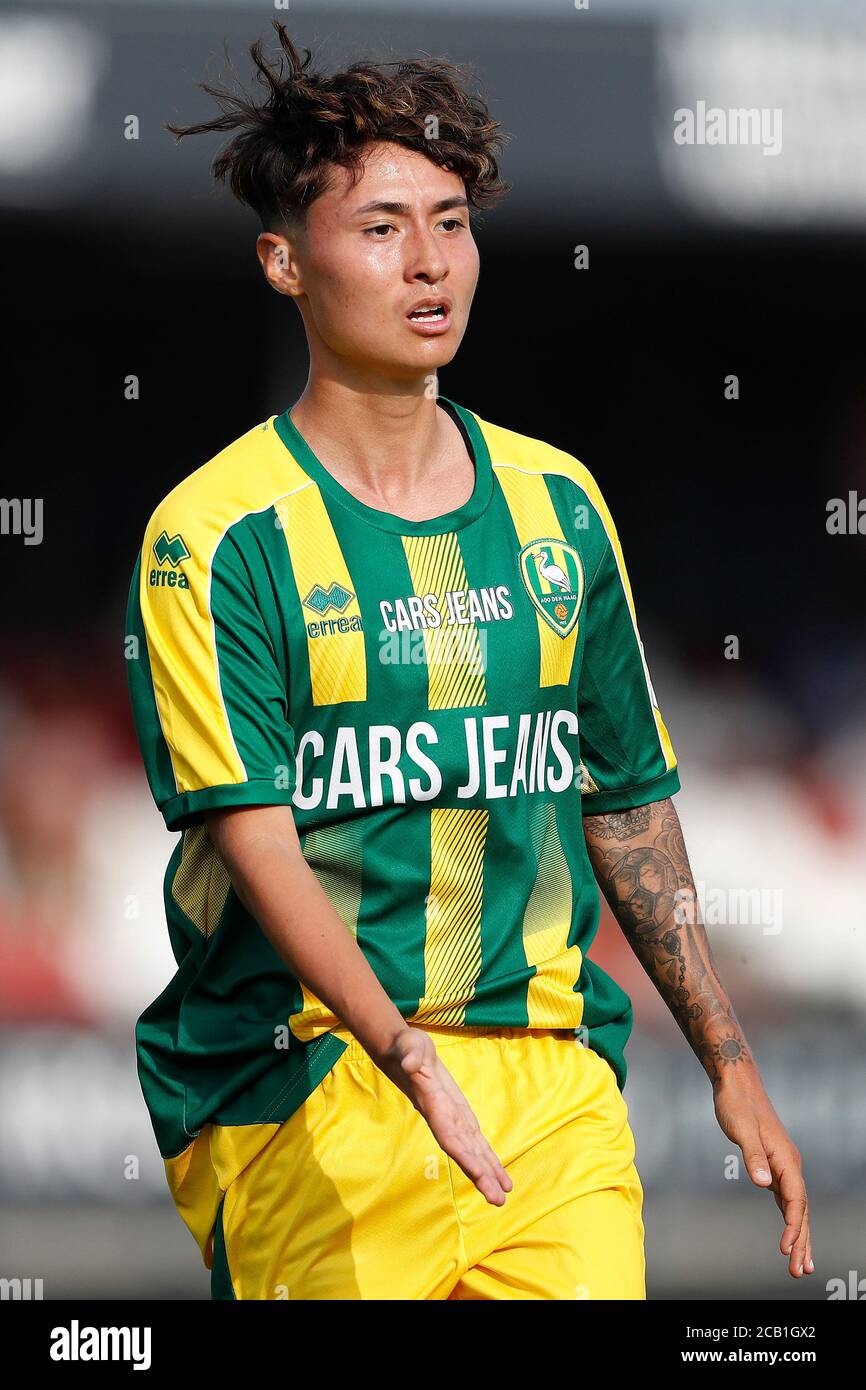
pixel 642 865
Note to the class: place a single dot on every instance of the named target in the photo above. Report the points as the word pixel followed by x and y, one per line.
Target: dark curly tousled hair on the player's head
pixel 279 162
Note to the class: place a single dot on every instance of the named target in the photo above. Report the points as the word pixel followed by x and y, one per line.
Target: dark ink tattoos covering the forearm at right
pixel 640 861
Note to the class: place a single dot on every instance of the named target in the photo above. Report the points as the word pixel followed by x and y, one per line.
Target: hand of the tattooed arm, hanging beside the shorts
pixel 746 1115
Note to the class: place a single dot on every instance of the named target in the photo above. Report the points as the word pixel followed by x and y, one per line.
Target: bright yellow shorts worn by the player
pixel 352 1199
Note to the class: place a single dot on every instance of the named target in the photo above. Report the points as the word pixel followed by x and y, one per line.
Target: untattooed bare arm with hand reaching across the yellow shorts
pixel 270 875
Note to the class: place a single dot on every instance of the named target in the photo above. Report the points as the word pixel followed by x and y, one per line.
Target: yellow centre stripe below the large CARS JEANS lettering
pixel 452 949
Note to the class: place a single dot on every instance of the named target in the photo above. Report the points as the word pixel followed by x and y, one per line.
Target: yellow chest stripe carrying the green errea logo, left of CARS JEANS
pixel 338 661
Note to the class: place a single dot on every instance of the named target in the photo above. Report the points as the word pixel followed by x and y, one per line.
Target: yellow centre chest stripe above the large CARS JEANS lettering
pixel 454 653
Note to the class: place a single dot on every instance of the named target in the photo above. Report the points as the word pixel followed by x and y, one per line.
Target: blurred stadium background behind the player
pixel 703 262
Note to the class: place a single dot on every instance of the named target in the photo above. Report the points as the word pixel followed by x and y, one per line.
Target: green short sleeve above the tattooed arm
pixel 626 751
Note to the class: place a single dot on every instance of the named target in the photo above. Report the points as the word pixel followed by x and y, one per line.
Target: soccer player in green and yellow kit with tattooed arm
pixel 391 692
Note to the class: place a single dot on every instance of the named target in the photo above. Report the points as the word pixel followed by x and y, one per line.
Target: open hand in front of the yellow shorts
pixel 414 1064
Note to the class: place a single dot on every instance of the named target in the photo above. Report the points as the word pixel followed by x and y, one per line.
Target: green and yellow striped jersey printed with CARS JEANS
pixel 439 703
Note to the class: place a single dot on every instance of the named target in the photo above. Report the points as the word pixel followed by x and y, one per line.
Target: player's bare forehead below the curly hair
pixel 390 173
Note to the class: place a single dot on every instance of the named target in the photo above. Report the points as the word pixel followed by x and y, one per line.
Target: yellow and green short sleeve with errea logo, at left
pixel 209 700
